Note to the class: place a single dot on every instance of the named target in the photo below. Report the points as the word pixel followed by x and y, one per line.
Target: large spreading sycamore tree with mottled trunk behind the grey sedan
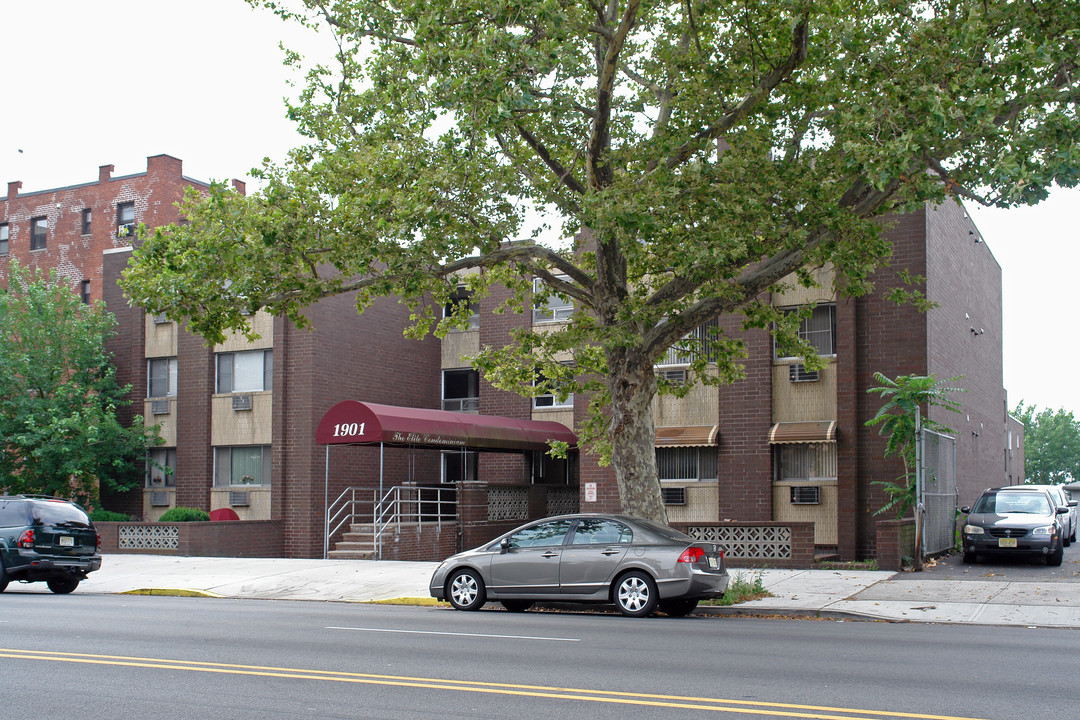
pixel 658 162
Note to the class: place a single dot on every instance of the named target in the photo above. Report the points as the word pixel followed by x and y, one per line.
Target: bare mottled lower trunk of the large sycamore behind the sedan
pixel 633 441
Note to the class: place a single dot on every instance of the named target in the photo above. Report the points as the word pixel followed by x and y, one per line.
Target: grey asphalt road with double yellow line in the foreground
pixel 118 658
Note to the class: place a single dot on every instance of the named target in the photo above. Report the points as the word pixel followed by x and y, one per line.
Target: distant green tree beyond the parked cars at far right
pixel 1051 445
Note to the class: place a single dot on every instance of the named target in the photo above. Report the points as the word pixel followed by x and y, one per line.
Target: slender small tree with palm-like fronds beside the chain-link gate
pixel 898 419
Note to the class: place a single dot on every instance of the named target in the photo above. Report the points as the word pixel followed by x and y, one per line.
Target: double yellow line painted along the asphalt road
pixel 649 700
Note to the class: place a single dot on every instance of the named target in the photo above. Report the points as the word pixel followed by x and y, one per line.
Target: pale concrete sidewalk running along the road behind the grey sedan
pixel 839 594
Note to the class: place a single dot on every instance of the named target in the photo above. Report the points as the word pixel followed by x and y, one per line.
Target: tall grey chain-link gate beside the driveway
pixel 937 492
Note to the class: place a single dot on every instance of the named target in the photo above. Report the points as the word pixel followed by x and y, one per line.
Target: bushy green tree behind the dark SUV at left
pixel 59 396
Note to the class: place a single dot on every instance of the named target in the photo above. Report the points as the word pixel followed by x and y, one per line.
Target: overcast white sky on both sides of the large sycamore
pixel 90 84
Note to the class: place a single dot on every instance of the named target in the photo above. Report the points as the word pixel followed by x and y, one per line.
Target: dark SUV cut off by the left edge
pixel 49 539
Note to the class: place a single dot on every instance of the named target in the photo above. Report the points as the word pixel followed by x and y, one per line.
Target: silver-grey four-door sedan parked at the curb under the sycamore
pixel 638 565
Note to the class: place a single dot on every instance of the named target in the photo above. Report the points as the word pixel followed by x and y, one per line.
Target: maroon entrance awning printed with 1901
pixel 353 423
